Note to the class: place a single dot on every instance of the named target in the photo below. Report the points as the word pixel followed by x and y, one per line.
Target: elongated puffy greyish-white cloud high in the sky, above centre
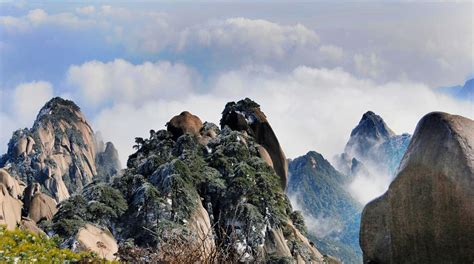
pixel 251 38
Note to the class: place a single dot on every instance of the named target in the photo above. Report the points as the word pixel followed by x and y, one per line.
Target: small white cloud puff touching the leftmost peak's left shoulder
pixel 28 98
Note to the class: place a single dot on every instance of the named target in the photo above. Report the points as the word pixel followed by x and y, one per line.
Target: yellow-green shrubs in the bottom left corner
pixel 17 246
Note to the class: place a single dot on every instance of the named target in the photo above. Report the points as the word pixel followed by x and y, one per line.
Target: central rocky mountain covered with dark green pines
pixel 198 188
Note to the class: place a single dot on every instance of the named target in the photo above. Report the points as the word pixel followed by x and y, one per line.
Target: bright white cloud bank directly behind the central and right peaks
pixel 317 106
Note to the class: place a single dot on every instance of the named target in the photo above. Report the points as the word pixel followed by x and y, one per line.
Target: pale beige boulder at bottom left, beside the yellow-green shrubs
pixel 100 241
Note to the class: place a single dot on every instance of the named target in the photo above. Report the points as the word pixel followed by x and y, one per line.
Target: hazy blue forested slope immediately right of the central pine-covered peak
pixel 319 190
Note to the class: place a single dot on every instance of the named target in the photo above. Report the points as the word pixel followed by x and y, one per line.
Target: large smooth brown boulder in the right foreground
pixel 427 215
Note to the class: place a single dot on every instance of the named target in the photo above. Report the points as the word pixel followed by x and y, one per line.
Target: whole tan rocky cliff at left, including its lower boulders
pixel 46 164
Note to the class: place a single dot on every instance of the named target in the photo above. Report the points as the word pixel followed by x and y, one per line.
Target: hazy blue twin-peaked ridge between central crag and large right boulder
pixel 323 192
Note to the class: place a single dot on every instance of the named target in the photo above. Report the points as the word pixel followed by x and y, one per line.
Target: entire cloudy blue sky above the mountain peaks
pixel 314 67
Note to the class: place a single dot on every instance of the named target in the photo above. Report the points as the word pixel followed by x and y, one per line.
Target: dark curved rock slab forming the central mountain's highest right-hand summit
pixel 246 115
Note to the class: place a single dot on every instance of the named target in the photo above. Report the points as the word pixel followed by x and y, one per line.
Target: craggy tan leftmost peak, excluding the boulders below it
pixel 58 152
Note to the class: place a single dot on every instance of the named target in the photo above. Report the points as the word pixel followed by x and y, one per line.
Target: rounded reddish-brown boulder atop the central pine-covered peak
pixel 184 123
